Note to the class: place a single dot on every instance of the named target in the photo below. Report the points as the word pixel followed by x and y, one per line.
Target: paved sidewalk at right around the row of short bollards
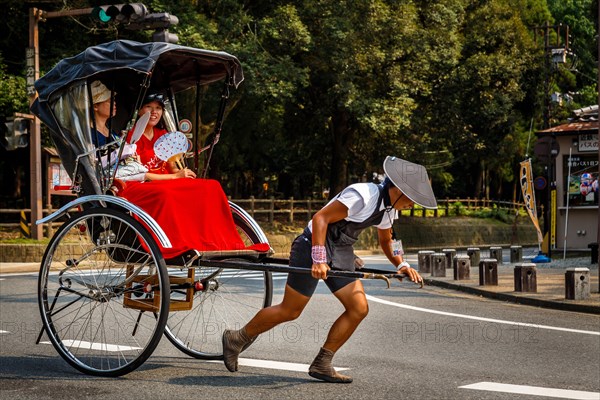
pixel 550 286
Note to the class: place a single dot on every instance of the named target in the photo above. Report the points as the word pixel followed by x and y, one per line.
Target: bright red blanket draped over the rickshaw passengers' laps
pixel 194 213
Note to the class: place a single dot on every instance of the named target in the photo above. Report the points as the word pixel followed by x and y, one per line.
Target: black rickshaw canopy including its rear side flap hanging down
pixel 130 69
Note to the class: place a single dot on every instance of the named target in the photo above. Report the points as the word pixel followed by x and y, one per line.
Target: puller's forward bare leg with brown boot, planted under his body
pixel 356 307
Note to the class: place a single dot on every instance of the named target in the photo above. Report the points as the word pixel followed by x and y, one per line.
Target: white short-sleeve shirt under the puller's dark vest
pixel 361 200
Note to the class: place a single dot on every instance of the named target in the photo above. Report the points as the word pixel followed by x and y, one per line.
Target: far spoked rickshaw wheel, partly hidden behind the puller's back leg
pixel 229 298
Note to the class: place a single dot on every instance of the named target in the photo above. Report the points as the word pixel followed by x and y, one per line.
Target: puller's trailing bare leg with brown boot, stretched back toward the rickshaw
pixel 234 342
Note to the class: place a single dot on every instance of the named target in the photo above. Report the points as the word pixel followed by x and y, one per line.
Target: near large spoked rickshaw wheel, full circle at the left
pixel 100 292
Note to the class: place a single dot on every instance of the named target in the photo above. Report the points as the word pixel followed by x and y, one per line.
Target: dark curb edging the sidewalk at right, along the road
pixel 557 305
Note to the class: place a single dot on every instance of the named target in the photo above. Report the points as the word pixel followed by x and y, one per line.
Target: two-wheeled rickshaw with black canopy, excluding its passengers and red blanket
pixel 106 293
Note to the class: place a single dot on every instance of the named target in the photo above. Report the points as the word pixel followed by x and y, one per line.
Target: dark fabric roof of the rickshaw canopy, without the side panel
pixel 128 64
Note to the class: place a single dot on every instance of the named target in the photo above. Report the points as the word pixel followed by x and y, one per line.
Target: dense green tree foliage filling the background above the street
pixel 333 86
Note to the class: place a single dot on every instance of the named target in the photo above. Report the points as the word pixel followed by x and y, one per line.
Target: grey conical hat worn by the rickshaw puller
pixel 411 179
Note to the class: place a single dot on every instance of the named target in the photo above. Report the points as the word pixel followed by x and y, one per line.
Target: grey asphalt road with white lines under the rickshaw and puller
pixel 416 343
